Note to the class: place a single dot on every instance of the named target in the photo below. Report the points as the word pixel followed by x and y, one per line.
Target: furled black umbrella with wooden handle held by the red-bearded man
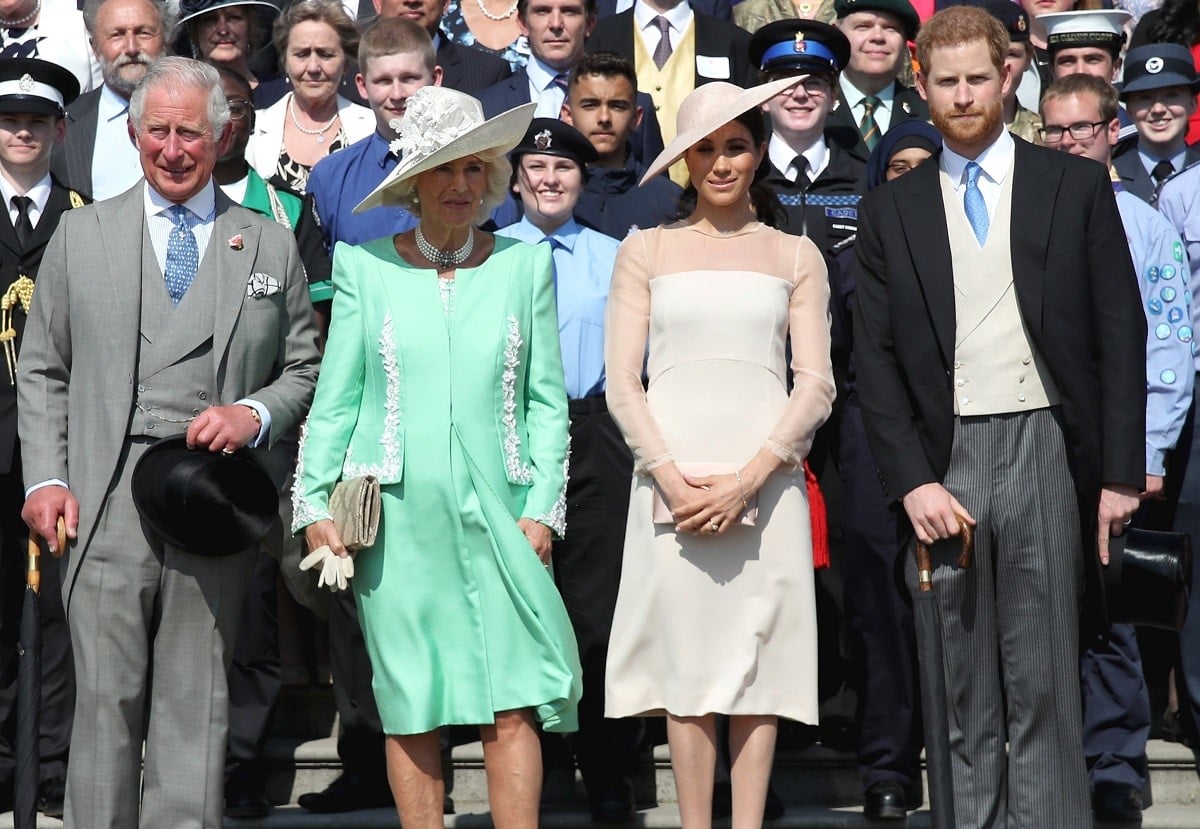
pixel 932 671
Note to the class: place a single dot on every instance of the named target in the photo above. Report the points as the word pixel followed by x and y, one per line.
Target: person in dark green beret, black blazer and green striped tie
pixel 872 98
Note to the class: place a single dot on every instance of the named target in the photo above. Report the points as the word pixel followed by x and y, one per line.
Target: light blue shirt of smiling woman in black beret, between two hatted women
pixel 584 262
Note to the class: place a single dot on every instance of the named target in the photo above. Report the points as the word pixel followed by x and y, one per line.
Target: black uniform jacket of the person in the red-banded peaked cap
pixel 826 213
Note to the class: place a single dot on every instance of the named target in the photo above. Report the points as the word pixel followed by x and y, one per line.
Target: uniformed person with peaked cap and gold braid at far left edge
pixel 31 125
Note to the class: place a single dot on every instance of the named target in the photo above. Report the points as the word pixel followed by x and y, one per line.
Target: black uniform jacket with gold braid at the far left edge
pixel 16 263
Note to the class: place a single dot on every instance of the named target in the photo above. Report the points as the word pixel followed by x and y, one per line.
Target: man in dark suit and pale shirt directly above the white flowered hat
pixel 557 31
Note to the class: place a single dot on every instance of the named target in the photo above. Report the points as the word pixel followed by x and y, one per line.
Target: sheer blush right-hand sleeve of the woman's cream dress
pixel 813 388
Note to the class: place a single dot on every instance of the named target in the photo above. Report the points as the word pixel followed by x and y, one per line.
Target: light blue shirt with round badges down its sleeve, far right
pixel 1163 278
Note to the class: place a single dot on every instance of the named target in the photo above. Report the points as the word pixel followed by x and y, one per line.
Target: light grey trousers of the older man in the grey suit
pixel 135 605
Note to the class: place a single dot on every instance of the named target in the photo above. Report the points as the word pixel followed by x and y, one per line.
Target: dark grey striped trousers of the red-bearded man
pixel 1011 627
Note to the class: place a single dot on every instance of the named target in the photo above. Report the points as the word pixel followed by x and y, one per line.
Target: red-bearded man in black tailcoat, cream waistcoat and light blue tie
pixel 1001 371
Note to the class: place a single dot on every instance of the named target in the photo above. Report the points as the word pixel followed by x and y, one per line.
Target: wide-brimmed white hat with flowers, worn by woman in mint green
pixel 442 125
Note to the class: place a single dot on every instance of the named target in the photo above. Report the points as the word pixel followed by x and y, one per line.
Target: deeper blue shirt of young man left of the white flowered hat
pixel 341 181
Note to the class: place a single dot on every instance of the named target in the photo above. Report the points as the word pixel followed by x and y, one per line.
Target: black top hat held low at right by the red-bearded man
pixel 1149 578
